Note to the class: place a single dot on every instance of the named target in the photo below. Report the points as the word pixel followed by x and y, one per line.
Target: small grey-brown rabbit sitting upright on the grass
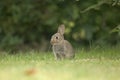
pixel 62 49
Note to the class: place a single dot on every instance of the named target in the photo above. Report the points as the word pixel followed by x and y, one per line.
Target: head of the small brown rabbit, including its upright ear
pixel 58 37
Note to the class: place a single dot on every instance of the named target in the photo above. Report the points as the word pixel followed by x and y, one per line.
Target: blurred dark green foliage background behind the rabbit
pixel 29 24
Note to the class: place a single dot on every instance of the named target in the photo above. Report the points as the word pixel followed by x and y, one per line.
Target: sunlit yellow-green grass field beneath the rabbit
pixel 93 64
